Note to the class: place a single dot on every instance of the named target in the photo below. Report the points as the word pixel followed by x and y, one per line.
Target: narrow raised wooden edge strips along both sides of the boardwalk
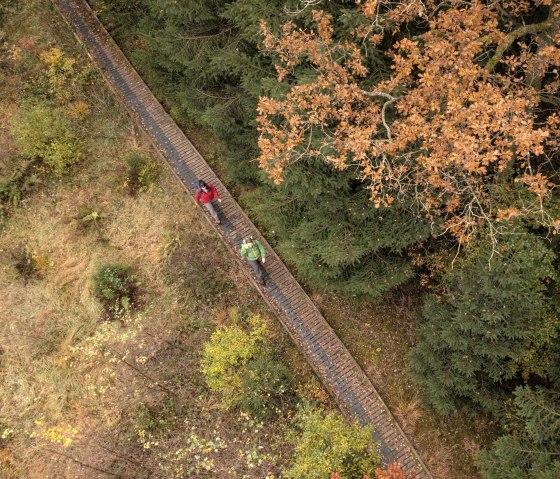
pixel 416 463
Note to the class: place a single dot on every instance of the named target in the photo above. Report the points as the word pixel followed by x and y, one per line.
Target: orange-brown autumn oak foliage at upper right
pixel 455 117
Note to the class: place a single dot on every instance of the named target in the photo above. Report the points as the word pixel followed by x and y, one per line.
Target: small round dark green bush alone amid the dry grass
pixel 115 286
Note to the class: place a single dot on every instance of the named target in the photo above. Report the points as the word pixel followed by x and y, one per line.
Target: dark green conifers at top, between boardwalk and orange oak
pixel 201 59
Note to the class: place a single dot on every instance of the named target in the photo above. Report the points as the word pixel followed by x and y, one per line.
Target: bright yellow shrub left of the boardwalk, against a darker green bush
pixel 228 350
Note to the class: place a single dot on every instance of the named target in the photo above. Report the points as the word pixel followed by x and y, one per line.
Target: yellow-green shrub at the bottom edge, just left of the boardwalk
pixel 325 443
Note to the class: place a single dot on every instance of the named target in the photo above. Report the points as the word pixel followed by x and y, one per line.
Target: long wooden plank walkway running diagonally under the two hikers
pixel 322 348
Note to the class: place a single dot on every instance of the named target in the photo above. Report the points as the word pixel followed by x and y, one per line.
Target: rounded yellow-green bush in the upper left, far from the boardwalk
pixel 44 133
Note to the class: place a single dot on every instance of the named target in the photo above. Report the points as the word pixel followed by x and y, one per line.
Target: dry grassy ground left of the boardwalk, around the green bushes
pixel 86 397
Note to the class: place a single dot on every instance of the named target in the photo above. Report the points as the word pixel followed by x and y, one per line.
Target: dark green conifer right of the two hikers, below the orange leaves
pixel 324 225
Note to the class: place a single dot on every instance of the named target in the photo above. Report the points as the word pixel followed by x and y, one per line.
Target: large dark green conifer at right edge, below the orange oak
pixel 490 329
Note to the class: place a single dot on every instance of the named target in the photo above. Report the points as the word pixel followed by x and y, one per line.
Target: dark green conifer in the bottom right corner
pixel 531 450
